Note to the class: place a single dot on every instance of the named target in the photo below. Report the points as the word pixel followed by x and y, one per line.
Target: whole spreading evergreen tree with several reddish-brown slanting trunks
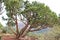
pixel 35 16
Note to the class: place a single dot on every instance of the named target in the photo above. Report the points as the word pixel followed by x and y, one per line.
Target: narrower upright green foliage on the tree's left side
pixel 12 8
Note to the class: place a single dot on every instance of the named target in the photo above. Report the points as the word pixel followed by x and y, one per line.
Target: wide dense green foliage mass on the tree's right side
pixel 39 14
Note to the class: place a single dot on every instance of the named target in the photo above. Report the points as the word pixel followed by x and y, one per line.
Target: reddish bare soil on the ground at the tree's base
pixel 10 37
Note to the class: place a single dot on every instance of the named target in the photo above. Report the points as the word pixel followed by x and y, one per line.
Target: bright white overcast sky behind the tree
pixel 53 4
